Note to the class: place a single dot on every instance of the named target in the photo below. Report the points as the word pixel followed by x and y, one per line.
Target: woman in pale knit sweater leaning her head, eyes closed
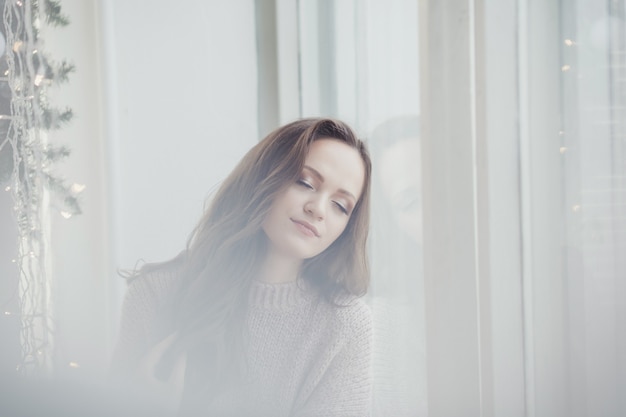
pixel 259 315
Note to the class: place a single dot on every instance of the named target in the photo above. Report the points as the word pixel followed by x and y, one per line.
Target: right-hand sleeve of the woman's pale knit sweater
pixel 344 389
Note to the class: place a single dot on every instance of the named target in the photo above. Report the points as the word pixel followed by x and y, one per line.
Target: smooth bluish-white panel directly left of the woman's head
pixel 184 96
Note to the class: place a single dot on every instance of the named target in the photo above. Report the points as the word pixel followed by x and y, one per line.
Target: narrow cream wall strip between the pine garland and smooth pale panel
pixel 79 245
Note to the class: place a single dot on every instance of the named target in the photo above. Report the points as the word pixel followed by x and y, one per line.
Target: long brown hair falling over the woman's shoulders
pixel 227 246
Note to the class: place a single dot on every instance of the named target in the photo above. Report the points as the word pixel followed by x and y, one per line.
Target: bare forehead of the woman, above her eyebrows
pixel 340 164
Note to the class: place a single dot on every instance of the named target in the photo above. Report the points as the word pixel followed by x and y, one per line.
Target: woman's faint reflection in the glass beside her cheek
pixel 397 282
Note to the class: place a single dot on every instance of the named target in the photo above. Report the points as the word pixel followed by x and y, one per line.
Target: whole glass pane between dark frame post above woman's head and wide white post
pixel 359 63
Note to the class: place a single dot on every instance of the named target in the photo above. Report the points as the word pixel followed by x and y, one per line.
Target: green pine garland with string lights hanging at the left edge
pixel 26 161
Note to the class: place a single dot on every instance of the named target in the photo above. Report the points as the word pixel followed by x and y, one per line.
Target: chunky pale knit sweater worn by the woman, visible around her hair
pixel 306 357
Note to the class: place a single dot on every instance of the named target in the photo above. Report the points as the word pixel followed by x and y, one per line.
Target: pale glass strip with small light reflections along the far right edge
pixel 594 179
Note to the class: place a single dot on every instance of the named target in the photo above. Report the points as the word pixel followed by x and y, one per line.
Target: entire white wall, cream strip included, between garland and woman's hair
pixel 165 103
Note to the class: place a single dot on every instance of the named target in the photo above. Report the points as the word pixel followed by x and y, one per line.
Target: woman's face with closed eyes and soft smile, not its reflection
pixel 313 212
